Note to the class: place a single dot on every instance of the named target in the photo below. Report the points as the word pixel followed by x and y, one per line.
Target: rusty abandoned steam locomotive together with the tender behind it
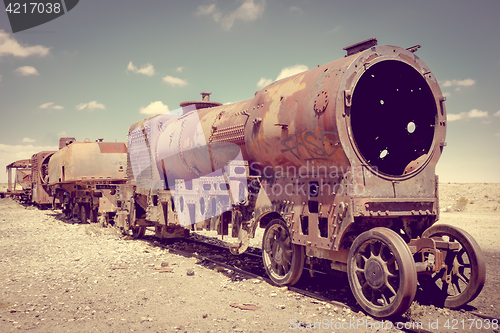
pixel 336 163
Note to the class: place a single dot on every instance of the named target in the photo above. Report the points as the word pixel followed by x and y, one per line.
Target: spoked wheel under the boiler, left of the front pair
pixel 283 260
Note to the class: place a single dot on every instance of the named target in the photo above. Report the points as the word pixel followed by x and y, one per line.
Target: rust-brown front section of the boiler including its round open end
pixel 379 108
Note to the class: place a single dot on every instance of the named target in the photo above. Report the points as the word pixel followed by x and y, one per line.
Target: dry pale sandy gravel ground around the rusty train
pixel 61 276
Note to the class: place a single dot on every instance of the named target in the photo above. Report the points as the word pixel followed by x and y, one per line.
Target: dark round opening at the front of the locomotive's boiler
pixel 392 116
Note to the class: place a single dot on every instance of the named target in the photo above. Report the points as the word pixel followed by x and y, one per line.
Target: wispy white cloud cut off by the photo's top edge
pixel 249 11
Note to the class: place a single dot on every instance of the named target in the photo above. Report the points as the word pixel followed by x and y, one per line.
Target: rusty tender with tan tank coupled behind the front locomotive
pixel 83 177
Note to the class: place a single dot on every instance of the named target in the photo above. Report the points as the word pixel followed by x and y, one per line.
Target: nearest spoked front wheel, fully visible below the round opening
pixel 382 274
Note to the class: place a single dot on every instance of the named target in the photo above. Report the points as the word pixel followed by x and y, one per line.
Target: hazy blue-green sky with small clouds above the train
pixel 90 72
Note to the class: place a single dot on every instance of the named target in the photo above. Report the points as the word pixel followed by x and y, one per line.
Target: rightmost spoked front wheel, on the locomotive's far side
pixel 466 266
